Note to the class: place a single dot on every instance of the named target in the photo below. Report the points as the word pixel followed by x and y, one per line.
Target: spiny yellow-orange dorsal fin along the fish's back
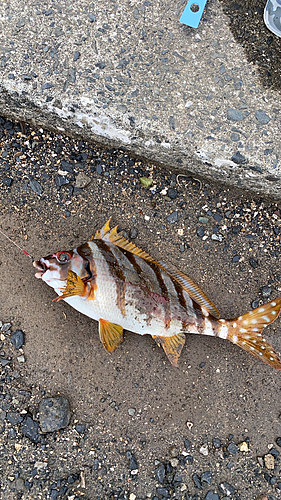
pixel 187 284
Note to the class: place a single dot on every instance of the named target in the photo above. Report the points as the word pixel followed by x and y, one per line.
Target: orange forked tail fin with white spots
pixel 246 331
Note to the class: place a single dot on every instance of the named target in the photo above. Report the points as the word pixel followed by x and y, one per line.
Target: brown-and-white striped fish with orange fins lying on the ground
pixel 116 283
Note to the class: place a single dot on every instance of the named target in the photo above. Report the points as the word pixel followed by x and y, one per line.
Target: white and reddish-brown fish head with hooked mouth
pixel 54 268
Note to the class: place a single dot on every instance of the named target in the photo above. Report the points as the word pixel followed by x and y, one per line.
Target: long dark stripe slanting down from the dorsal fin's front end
pixel 116 272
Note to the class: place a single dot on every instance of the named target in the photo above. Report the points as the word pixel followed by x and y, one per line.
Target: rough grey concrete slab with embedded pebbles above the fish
pixel 132 75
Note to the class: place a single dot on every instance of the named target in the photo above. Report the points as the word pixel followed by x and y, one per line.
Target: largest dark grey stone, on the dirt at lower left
pixel 54 414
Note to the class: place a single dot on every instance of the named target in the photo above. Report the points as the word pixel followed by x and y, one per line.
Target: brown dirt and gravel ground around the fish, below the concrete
pixel 77 423
